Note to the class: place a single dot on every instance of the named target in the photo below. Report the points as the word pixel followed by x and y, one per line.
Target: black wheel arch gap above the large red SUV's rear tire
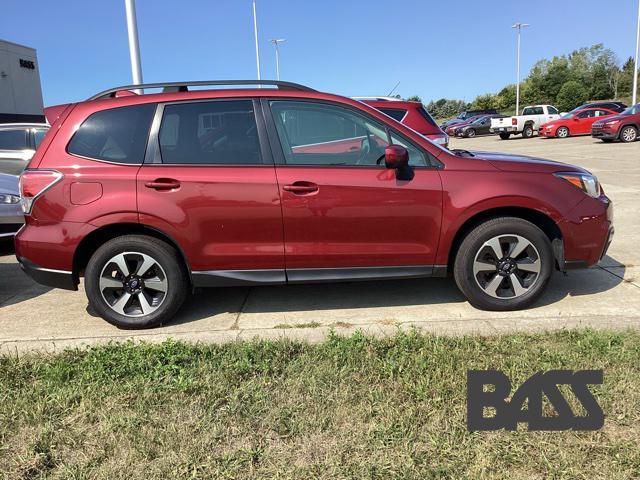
pixel 89 244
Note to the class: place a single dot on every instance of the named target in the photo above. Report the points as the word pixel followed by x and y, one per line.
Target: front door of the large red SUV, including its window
pixel 342 209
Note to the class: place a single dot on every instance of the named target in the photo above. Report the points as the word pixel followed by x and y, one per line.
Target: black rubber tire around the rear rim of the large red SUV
pixel 169 263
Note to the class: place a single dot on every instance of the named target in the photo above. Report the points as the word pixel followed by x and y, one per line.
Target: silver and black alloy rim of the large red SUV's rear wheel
pixel 133 284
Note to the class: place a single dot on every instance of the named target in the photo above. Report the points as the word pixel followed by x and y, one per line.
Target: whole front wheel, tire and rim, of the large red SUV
pixel 490 286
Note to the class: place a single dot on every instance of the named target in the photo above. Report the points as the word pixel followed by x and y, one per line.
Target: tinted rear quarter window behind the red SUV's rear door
pixel 116 135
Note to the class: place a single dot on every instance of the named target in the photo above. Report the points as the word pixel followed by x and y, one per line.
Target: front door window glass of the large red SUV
pixel 323 134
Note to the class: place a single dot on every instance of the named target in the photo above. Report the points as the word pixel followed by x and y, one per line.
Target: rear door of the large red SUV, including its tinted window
pixel 209 181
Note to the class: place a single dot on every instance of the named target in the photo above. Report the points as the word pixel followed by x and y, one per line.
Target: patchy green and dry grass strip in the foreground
pixel 352 407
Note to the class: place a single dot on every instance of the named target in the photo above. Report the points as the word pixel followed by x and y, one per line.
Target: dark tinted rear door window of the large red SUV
pixel 210 133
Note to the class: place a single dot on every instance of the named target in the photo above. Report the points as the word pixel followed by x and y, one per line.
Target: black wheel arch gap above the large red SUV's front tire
pixel 538 218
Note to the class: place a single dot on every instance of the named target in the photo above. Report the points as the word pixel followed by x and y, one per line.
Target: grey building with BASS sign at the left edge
pixel 20 90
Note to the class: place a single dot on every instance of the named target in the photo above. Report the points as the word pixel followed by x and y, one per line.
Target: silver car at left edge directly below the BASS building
pixel 18 142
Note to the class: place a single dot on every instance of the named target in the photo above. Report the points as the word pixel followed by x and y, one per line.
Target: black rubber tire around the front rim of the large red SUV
pixel 472 246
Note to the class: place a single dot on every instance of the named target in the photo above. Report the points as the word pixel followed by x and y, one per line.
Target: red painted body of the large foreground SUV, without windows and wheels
pixel 277 223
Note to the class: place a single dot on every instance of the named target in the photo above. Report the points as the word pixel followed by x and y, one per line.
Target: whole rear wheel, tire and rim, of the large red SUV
pixel 136 301
